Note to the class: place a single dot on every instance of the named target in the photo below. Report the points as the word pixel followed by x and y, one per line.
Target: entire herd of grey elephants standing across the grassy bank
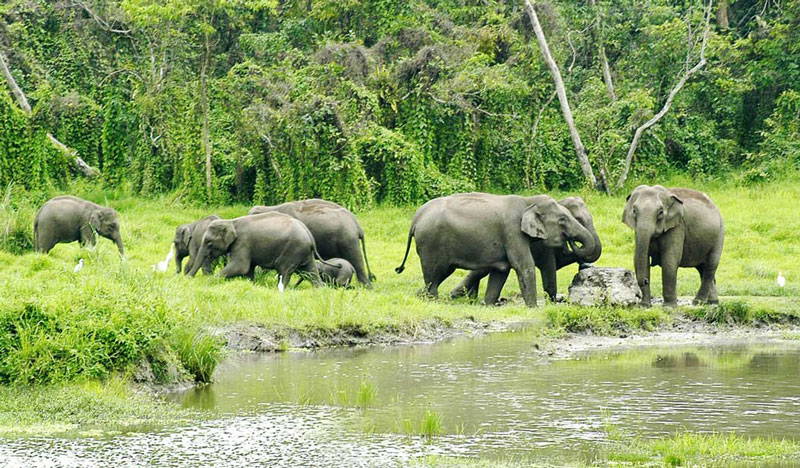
pixel 489 235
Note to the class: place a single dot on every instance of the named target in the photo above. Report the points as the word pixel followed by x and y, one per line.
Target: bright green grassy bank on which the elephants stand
pixel 117 316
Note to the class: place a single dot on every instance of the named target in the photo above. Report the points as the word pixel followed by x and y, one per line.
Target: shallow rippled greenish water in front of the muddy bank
pixel 495 397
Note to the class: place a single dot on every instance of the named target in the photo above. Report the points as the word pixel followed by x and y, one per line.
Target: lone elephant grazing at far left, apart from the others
pixel 68 219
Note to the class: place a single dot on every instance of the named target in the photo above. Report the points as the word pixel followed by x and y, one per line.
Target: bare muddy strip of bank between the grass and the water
pixel 668 327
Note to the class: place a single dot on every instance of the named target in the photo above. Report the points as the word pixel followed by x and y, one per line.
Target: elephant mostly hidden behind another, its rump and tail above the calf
pixel 336 231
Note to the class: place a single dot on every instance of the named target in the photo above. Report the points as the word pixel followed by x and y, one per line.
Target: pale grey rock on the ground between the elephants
pixel 605 286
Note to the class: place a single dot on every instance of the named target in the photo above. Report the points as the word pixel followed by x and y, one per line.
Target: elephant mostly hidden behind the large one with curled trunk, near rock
pixel 547 259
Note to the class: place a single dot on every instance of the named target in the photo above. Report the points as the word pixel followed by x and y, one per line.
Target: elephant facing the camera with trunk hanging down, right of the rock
pixel 675 227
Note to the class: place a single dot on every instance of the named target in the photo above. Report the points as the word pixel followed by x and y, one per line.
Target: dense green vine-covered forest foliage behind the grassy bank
pixel 375 100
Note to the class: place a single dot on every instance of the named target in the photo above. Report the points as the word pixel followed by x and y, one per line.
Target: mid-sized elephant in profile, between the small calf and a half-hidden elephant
pixel 269 240
